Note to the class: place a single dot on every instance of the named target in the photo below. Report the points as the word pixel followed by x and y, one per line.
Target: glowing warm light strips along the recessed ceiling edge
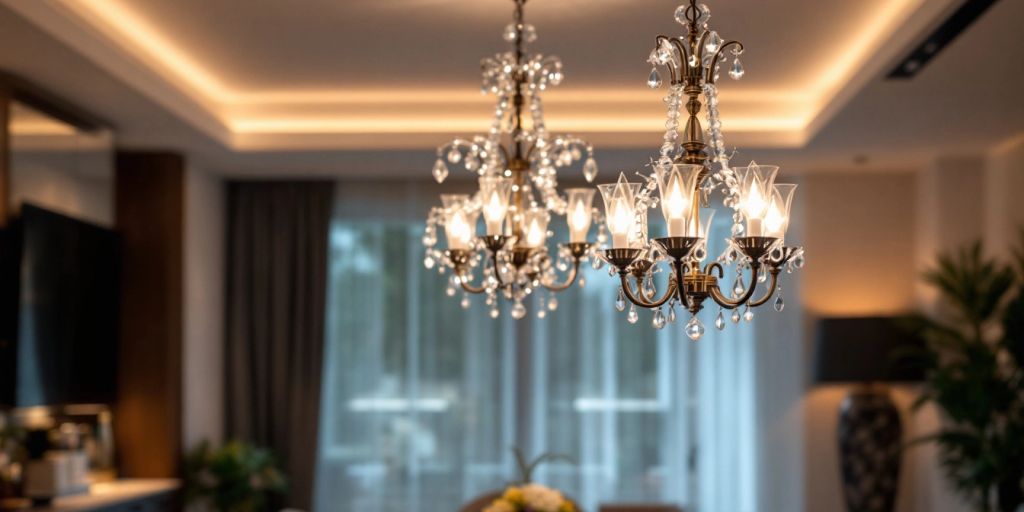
pixel 134 33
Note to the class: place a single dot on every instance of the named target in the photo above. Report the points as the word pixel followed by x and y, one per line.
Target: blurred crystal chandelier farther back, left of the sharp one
pixel 517 164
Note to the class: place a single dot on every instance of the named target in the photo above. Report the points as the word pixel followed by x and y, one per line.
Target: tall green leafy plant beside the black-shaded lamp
pixel 975 375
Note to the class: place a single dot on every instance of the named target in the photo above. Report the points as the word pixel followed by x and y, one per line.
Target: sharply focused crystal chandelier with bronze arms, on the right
pixel 685 177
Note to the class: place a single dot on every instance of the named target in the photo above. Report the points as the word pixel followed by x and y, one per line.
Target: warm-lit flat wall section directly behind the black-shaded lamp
pixel 860 232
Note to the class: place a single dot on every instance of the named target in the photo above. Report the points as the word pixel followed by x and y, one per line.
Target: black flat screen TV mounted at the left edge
pixel 61 289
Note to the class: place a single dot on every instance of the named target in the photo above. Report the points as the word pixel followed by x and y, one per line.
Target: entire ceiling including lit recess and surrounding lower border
pixel 246 83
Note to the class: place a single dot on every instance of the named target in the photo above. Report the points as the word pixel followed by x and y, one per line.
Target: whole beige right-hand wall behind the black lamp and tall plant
pixel 875 234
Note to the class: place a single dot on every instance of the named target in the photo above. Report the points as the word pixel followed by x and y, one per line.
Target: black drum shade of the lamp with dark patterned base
pixel 865 350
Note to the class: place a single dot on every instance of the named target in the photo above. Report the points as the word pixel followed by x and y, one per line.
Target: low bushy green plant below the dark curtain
pixel 236 478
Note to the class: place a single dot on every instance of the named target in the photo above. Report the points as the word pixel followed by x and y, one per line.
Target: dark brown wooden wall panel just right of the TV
pixel 150 207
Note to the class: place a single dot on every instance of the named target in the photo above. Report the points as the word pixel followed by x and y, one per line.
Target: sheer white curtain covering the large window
pixel 422 401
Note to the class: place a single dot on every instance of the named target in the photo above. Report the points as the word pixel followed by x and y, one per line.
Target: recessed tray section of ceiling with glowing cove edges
pixel 400 74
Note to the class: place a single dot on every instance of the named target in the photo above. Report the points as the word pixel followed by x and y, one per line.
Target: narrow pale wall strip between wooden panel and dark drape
pixel 204 309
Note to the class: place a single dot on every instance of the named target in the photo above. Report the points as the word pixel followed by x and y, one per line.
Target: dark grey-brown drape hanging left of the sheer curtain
pixel 277 289
